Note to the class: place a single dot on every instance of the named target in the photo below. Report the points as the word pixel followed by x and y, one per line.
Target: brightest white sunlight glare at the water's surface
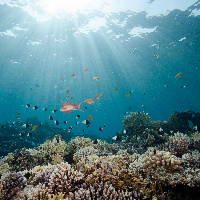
pixel 65 6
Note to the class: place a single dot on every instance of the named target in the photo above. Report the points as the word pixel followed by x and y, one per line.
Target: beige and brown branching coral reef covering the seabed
pixel 149 160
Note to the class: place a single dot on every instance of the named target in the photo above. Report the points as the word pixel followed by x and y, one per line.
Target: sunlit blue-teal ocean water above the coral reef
pixel 133 50
